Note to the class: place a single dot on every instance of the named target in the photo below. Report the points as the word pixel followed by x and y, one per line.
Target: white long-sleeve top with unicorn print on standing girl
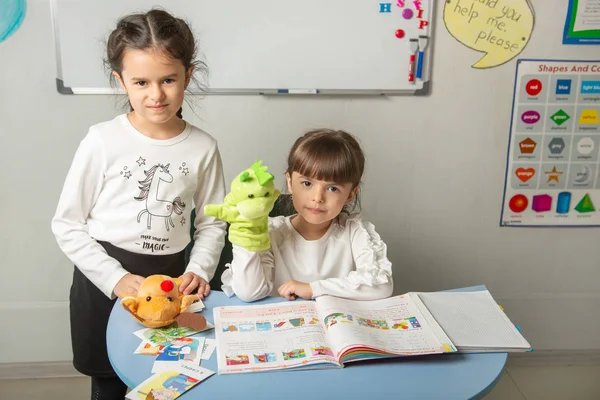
pixel 137 193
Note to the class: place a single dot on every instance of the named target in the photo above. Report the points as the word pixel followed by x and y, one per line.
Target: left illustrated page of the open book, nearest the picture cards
pixel 271 336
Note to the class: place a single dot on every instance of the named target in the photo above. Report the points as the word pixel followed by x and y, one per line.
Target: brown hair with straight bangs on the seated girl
pixel 328 155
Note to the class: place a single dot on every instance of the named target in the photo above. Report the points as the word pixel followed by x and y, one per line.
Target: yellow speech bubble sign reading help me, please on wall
pixel 498 28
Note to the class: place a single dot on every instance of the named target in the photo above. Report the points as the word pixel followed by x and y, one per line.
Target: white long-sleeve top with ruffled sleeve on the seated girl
pixel 349 261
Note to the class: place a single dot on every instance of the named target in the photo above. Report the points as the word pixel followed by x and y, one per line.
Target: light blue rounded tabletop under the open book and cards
pixel 449 376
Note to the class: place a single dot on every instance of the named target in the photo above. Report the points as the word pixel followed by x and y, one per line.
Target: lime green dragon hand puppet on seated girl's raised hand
pixel 247 206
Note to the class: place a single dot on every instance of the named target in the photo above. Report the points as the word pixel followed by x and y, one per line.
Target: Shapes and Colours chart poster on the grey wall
pixel 552 168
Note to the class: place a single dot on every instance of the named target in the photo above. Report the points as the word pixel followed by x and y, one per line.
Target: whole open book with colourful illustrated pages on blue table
pixel 328 332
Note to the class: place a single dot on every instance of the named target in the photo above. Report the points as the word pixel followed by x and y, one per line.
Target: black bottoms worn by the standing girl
pixel 90 308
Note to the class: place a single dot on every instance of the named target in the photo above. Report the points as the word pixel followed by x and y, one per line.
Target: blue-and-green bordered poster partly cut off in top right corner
pixel 582 25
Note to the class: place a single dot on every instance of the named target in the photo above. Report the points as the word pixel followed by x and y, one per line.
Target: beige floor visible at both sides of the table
pixel 562 382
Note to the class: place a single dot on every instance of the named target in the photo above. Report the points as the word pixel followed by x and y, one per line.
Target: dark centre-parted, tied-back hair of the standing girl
pixel 156 29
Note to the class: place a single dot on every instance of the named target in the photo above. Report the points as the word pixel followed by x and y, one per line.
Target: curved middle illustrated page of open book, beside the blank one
pixel 392 326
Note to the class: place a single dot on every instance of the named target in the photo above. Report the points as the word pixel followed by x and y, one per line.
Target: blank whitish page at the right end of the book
pixel 473 320
